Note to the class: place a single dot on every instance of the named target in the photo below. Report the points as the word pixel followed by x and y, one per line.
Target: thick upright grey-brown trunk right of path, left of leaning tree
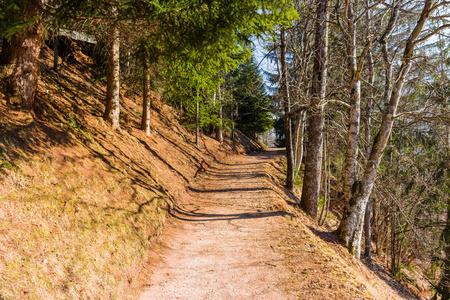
pixel 313 159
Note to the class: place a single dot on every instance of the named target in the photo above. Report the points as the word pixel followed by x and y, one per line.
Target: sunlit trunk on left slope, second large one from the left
pixel 112 109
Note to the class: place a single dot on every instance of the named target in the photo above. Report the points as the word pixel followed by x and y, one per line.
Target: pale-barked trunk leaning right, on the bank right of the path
pixel 350 228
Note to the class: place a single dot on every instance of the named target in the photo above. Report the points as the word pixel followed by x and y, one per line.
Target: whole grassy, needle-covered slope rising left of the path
pixel 80 203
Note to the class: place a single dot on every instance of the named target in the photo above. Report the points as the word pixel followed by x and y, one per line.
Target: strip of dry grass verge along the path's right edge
pixel 321 267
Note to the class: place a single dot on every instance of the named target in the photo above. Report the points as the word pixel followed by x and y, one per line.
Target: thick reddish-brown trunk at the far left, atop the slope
pixel 20 56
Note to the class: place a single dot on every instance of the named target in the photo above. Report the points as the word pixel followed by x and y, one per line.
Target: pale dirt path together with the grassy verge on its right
pixel 236 237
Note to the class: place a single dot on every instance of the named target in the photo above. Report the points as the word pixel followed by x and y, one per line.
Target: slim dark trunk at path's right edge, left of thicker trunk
pixel 287 113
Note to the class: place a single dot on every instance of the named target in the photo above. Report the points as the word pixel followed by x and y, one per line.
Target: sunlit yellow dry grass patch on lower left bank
pixel 70 229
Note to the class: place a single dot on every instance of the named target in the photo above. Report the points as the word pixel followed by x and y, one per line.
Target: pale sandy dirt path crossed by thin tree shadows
pixel 223 246
